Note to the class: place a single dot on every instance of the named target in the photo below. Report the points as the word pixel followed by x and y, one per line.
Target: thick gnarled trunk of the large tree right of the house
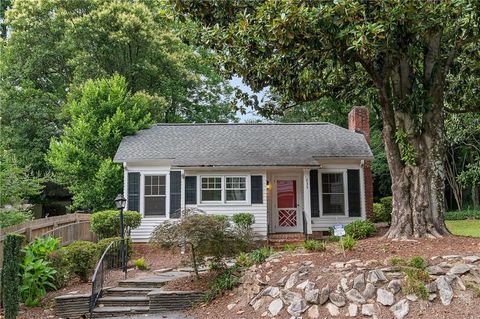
pixel 418 187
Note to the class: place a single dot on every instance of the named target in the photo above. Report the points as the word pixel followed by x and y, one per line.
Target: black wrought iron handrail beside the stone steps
pixel 112 259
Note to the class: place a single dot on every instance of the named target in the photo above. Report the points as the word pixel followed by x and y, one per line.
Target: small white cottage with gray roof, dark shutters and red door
pixel 295 177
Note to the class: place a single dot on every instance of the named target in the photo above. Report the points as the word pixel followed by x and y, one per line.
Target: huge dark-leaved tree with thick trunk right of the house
pixel 403 51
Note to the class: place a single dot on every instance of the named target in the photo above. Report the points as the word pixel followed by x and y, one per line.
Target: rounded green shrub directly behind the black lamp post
pixel 106 223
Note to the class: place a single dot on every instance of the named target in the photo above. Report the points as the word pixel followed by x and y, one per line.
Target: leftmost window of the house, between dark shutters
pixel 155 196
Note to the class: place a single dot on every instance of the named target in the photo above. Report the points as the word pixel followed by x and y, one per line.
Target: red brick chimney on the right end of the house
pixel 359 121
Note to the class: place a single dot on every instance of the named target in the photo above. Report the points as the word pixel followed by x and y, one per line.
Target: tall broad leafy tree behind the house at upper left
pixel 54 46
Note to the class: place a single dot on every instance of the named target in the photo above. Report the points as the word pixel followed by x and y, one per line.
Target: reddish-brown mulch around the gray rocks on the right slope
pixel 376 248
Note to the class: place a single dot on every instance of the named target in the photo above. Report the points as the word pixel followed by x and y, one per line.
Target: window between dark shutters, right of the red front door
pixel 333 194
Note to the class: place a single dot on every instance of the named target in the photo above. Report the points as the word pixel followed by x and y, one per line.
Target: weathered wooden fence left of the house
pixel 69 228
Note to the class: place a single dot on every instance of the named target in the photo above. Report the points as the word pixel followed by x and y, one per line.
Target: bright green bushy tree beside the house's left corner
pixel 100 115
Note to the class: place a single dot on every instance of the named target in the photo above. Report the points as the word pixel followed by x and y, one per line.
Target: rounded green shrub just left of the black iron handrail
pixel 81 257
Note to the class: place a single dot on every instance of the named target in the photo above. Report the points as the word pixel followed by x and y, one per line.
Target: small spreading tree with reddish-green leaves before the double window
pixel 204 235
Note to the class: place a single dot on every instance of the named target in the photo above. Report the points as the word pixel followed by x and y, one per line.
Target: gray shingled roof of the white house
pixel 192 145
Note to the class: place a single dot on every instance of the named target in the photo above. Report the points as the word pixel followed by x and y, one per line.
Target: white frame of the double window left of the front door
pixel 223 201
